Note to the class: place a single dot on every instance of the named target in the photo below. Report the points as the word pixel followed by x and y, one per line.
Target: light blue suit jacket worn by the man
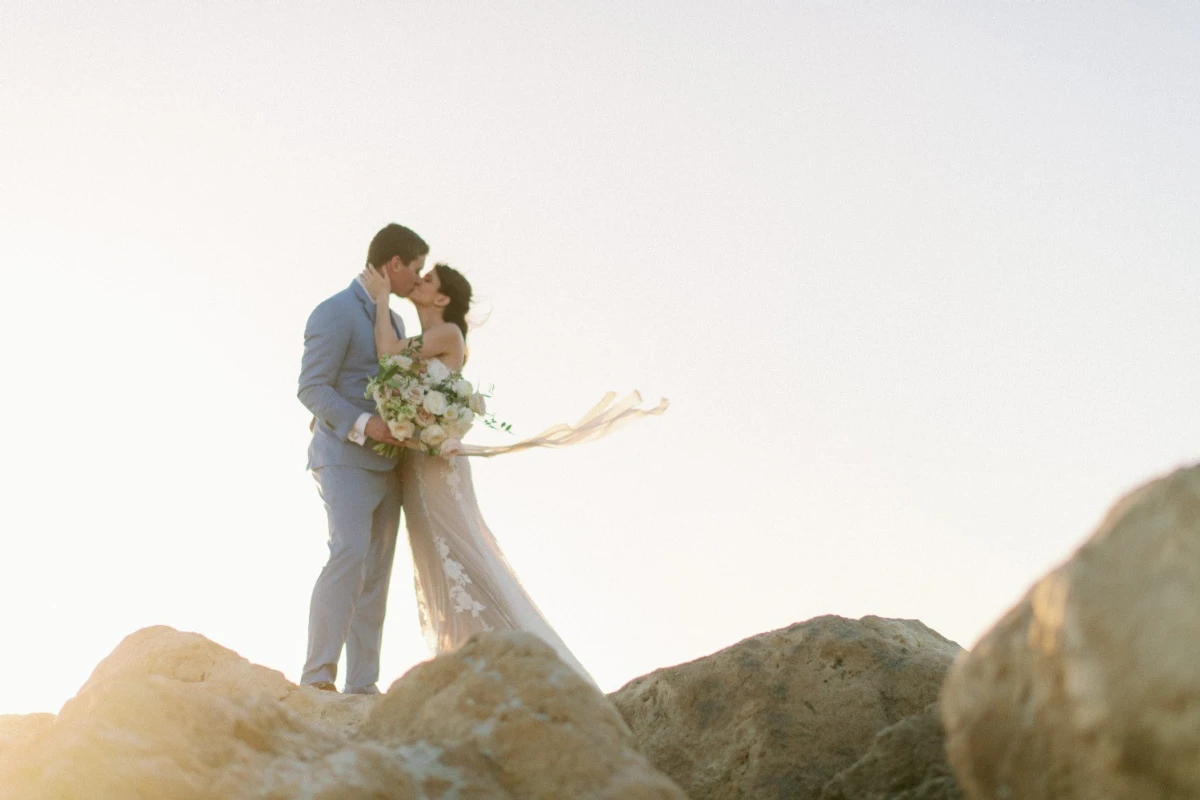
pixel 339 360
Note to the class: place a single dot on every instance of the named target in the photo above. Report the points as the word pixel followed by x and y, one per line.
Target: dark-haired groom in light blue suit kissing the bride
pixel 359 488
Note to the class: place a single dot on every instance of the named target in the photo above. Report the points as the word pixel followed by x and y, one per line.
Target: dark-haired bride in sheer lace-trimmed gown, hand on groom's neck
pixel 464 584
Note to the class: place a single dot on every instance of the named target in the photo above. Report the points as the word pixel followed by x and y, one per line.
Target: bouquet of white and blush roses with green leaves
pixel 425 401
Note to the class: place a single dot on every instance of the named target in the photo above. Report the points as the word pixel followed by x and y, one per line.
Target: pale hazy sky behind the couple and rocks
pixel 920 280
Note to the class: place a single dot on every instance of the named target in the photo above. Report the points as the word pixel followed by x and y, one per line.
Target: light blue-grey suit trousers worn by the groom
pixel 351 597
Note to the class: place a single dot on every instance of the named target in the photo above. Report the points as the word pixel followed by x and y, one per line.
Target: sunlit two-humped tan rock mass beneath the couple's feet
pixel 173 715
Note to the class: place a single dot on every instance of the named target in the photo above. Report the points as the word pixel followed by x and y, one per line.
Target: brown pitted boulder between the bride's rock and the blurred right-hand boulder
pixel 781 714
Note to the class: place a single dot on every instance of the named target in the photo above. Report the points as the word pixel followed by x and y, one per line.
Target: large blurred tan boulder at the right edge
pixel 1090 687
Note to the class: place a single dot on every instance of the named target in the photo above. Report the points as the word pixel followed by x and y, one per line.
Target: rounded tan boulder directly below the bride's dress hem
pixel 507 709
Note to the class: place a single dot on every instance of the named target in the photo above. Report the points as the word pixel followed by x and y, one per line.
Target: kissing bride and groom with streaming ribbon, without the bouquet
pixel 464 584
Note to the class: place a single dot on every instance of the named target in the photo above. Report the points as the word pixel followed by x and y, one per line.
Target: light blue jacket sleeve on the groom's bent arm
pixel 326 345
